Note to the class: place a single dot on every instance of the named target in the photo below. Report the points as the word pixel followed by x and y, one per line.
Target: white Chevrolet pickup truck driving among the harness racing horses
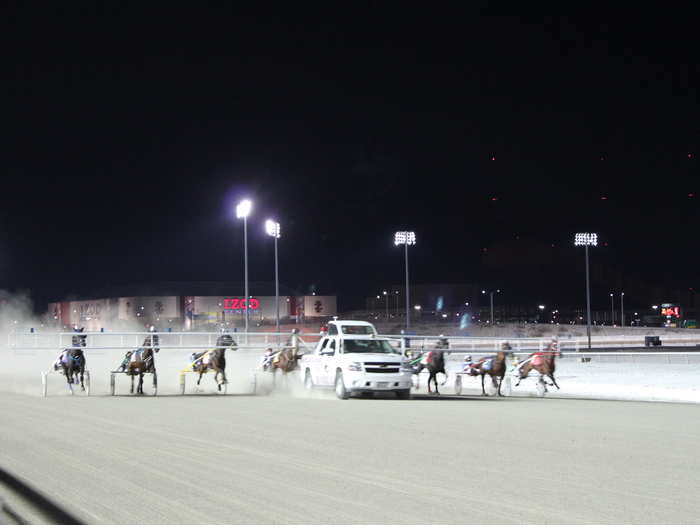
pixel 352 358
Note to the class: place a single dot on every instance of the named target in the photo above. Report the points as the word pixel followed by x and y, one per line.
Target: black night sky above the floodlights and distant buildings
pixel 130 135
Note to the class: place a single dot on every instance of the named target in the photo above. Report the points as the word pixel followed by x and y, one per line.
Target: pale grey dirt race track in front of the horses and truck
pixel 291 459
